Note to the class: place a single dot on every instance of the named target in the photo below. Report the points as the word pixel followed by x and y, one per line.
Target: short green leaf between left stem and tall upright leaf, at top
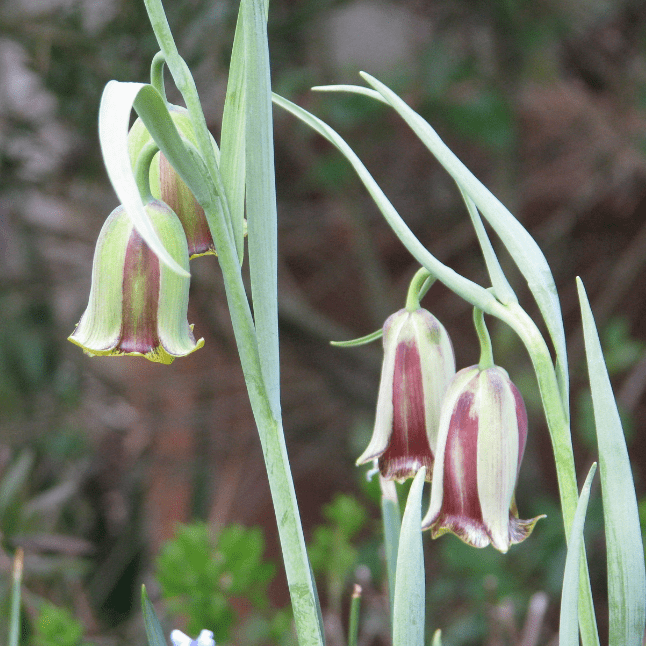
pixel 232 144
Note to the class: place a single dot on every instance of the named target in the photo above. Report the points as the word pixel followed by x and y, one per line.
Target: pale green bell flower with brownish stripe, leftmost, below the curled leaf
pixel 137 305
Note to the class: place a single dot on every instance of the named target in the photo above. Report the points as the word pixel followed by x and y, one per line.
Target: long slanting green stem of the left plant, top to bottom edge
pixel 297 568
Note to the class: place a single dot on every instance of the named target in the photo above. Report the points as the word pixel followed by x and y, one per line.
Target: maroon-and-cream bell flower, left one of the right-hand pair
pixel 417 368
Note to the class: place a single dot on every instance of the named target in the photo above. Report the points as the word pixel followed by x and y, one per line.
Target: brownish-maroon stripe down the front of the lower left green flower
pixel 140 297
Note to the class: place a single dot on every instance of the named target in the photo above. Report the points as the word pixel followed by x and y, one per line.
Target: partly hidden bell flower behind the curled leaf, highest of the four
pixel 166 185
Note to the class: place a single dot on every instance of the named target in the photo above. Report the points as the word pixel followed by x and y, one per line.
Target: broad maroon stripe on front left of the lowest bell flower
pixel 460 491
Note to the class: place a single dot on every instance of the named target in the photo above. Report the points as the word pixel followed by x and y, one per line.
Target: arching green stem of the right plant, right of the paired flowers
pixel 559 428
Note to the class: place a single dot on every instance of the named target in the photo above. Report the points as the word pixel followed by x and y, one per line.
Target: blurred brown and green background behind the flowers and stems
pixel 101 459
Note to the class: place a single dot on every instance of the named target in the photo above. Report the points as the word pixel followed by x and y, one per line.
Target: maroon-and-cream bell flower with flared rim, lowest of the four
pixel 483 429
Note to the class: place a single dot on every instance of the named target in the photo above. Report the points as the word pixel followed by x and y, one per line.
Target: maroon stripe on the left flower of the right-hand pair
pixel 408 449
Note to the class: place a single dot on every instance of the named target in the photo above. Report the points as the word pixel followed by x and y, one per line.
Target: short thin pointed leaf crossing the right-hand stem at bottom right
pixel 569 623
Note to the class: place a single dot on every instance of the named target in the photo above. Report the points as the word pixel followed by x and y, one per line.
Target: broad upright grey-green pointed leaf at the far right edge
pixel 625 552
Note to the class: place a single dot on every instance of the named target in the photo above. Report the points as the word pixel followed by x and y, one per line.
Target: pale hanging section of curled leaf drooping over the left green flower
pixel 114 117
